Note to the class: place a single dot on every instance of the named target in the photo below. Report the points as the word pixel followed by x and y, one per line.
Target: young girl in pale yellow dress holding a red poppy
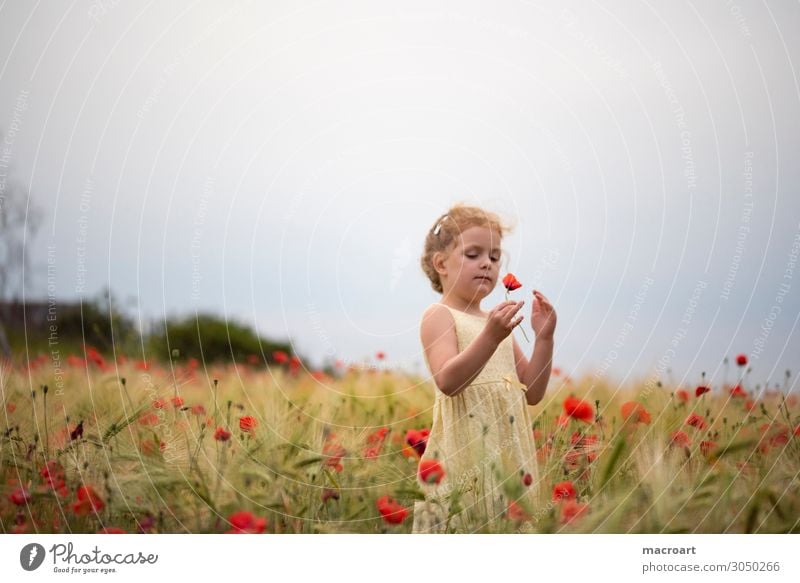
pixel 481 434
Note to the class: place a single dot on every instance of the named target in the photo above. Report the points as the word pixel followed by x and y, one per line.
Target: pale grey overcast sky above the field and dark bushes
pixel 281 165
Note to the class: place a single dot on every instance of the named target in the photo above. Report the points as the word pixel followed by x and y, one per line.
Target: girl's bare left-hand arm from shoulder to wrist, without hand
pixel 452 371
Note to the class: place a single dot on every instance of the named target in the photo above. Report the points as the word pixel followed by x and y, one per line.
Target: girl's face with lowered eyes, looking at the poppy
pixel 471 269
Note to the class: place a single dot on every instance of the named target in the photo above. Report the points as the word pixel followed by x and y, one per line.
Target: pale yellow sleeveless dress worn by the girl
pixel 483 438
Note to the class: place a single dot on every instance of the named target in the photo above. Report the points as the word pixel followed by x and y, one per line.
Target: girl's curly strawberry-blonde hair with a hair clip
pixel 444 232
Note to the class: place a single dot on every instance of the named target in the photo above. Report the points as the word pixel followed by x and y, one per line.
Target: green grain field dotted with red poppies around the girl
pixel 128 446
